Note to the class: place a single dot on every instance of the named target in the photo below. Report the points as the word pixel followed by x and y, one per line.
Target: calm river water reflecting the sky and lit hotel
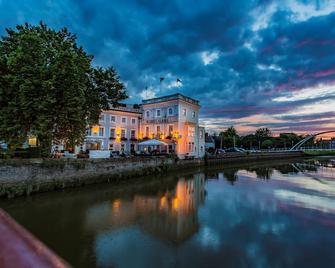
pixel 264 215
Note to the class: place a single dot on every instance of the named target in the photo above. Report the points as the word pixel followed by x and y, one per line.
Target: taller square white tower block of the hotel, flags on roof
pixel 175 120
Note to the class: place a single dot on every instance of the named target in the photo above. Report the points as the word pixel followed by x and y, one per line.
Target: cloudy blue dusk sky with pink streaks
pixel 251 63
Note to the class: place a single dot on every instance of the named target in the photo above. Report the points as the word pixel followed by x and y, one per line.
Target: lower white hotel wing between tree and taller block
pixel 118 130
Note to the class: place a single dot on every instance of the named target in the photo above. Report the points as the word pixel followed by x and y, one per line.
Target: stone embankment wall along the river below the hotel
pixel 28 176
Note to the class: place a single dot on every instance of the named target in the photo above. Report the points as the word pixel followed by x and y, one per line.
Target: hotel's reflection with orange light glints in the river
pixel 169 215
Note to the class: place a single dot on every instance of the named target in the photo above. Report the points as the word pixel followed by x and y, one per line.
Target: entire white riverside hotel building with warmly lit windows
pixel 172 119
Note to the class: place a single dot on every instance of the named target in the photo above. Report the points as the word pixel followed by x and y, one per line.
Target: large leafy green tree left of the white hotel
pixel 48 87
